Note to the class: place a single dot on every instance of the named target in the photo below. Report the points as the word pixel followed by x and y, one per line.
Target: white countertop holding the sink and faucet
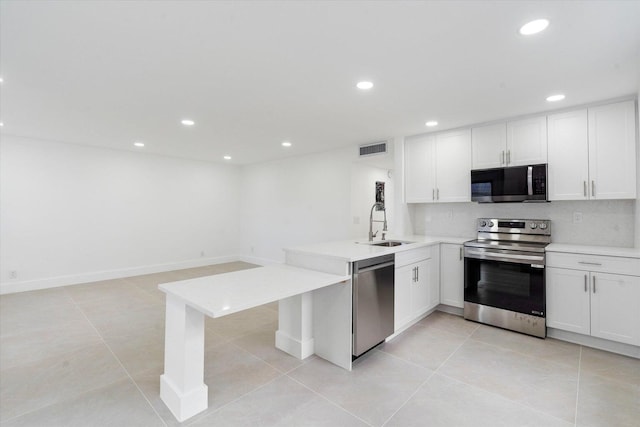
pixel 355 250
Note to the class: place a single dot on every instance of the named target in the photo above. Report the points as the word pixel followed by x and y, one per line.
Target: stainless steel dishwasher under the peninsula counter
pixel 373 294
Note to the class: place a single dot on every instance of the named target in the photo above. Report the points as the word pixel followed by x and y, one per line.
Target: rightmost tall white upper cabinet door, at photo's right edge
pixel 612 151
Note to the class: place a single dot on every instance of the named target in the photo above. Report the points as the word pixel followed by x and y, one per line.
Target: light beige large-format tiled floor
pixel 92 355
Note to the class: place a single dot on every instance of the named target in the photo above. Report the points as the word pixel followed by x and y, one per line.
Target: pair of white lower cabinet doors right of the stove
pixel 600 304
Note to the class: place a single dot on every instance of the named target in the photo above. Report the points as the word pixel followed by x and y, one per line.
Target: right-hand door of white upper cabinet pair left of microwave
pixel 453 166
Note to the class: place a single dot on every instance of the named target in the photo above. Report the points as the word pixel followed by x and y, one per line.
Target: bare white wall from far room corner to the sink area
pixel 295 201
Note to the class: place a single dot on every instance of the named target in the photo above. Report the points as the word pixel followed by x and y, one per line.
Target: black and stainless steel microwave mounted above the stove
pixel 512 184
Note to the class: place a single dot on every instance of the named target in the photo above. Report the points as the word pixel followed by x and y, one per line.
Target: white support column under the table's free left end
pixel 182 386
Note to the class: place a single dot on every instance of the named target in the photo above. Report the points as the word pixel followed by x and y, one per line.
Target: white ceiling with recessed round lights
pixel 254 73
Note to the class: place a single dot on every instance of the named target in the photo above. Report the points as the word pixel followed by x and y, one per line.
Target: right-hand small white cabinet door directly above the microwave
pixel 527 141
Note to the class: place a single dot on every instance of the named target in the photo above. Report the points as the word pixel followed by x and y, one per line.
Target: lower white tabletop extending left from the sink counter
pixel 228 293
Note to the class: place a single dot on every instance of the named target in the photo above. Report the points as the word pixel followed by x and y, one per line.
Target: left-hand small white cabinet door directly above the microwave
pixel 488 146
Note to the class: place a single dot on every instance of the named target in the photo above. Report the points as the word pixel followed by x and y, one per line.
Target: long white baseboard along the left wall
pixel 54 282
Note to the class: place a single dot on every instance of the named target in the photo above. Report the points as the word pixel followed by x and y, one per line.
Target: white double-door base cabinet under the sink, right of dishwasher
pixel 417 288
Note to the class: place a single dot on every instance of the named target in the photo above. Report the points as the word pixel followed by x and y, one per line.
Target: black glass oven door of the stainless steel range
pixel 507 280
